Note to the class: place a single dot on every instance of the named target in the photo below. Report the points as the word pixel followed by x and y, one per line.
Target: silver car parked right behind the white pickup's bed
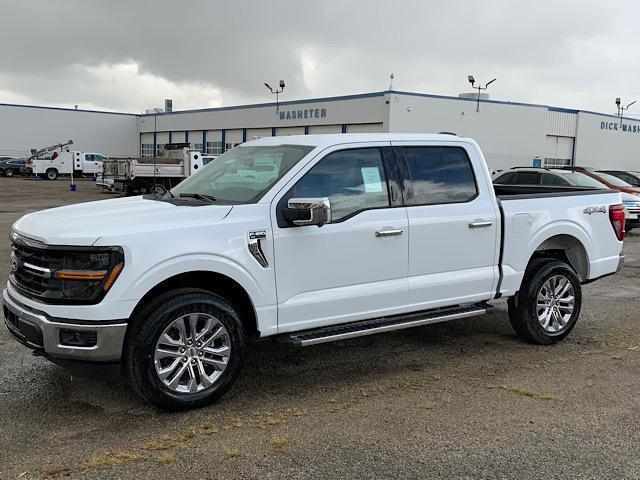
pixel 579 178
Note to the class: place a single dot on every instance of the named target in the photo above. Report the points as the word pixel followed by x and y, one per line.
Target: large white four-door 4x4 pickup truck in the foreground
pixel 306 239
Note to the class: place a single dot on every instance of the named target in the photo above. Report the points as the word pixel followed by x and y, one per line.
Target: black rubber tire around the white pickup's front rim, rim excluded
pixel 145 330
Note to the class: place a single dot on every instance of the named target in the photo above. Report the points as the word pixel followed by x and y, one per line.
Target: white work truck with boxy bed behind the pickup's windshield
pixel 153 175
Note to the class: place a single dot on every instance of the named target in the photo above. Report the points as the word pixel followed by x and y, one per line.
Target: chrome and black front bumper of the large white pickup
pixel 41 333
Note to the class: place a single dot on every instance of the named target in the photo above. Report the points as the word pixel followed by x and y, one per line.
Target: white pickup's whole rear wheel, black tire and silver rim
pixel 547 307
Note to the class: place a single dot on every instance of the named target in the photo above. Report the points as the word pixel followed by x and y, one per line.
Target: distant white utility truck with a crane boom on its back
pixel 66 163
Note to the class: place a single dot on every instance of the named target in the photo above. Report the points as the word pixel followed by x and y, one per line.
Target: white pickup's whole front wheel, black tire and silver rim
pixel 184 350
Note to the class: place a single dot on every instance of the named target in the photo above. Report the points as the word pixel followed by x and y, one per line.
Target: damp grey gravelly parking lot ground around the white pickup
pixel 465 399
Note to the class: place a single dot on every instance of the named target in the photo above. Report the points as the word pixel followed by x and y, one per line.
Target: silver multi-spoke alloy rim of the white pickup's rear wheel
pixel 556 301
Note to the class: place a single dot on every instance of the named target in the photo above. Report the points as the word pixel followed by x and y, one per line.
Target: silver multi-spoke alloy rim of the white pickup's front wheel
pixel 192 353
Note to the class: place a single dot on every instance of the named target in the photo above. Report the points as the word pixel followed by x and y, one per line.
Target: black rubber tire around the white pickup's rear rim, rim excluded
pixel 523 306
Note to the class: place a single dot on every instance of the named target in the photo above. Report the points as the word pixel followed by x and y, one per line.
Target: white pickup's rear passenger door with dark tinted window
pixel 453 224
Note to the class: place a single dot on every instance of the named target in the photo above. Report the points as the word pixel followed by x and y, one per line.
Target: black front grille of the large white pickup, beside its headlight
pixel 31 268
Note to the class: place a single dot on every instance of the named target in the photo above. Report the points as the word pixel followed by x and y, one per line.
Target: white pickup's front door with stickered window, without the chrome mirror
pixel 354 267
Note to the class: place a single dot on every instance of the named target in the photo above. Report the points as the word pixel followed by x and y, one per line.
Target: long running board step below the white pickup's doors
pixel 380 325
